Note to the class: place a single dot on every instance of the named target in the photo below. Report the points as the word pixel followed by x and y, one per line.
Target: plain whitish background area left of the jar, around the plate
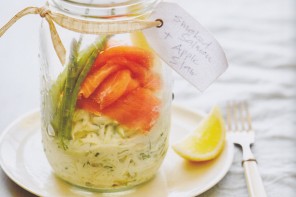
pixel 19 74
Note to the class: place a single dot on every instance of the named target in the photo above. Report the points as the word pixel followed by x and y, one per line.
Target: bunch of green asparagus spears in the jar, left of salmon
pixel 64 92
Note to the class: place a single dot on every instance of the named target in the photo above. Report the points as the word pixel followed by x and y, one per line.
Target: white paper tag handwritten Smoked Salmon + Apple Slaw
pixel 186 46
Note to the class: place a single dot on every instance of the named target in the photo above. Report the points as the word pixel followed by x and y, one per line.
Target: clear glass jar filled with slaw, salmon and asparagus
pixel 106 112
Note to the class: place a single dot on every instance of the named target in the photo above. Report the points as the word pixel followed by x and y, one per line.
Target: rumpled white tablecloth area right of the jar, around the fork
pixel 259 38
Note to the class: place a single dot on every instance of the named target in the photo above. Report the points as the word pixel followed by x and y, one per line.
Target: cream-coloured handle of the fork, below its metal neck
pixel 253 178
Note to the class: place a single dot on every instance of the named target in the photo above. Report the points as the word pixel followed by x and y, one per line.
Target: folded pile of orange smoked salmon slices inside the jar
pixel 121 86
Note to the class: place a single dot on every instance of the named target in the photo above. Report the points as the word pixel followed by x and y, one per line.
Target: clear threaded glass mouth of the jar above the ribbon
pixel 105 9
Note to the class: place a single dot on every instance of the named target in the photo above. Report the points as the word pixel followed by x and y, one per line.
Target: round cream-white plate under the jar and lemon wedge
pixel 23 160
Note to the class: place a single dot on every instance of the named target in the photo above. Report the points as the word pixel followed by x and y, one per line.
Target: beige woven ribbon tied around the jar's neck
pixel 80 26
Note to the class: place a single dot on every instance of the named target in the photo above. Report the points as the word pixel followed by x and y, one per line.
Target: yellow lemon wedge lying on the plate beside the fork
pixel 206 141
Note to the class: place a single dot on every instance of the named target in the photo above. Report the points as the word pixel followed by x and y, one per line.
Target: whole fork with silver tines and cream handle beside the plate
pixel 240 132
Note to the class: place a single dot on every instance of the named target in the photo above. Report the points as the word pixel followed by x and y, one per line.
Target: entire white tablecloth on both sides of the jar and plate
pixel 259 38
